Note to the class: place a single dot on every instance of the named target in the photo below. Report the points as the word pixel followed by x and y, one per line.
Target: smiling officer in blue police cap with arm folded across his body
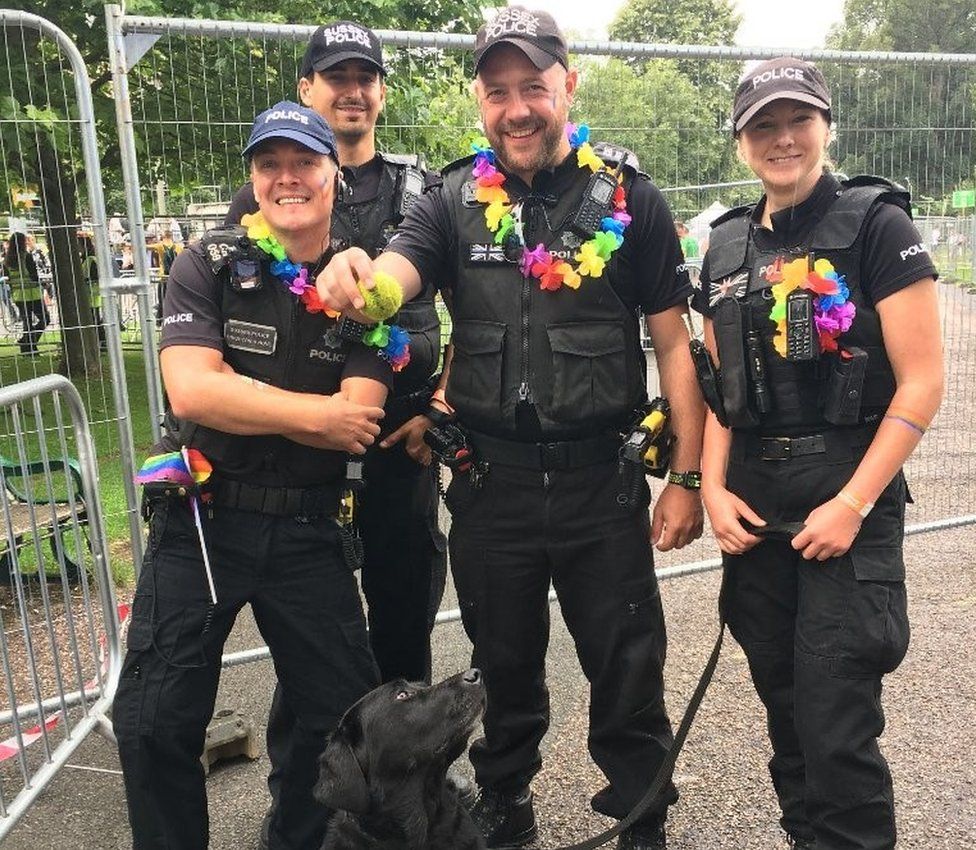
pixel 248 388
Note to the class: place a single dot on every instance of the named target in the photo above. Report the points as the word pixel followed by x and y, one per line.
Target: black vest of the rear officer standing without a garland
pixel 369 224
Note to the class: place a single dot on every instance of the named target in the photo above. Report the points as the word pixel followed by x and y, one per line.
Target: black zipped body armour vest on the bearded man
pixel 573 355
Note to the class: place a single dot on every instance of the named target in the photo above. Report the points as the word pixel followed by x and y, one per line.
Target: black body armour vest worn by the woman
pixel 741 298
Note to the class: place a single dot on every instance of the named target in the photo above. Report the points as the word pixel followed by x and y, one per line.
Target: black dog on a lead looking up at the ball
pixel 384 768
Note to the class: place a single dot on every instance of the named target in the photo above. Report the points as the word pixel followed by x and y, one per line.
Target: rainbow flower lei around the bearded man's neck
pixel 502 218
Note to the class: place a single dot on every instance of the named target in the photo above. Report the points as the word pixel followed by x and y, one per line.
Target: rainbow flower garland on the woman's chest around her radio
pixel 833 312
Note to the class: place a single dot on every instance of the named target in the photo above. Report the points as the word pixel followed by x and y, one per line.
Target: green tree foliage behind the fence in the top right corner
pixel 921 116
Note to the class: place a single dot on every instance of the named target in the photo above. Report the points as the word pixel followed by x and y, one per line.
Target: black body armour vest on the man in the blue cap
pixel 271 337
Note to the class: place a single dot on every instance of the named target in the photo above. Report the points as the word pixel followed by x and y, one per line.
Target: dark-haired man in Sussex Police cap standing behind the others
pixel 405 554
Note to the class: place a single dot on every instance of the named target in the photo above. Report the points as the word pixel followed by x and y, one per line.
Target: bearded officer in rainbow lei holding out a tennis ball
pixel 547 372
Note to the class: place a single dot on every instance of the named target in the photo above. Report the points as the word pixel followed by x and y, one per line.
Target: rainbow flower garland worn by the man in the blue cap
pixel 392 341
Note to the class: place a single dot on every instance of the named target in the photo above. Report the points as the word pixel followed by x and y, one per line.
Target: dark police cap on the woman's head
pixel 783 78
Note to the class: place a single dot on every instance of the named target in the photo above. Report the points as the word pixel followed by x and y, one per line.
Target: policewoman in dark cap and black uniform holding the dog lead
pixel 821 308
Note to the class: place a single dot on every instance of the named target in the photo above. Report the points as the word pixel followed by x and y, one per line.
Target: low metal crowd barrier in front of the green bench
pixel 59 635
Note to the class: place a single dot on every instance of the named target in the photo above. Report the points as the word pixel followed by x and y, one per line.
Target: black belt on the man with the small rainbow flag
pixel 254 498
